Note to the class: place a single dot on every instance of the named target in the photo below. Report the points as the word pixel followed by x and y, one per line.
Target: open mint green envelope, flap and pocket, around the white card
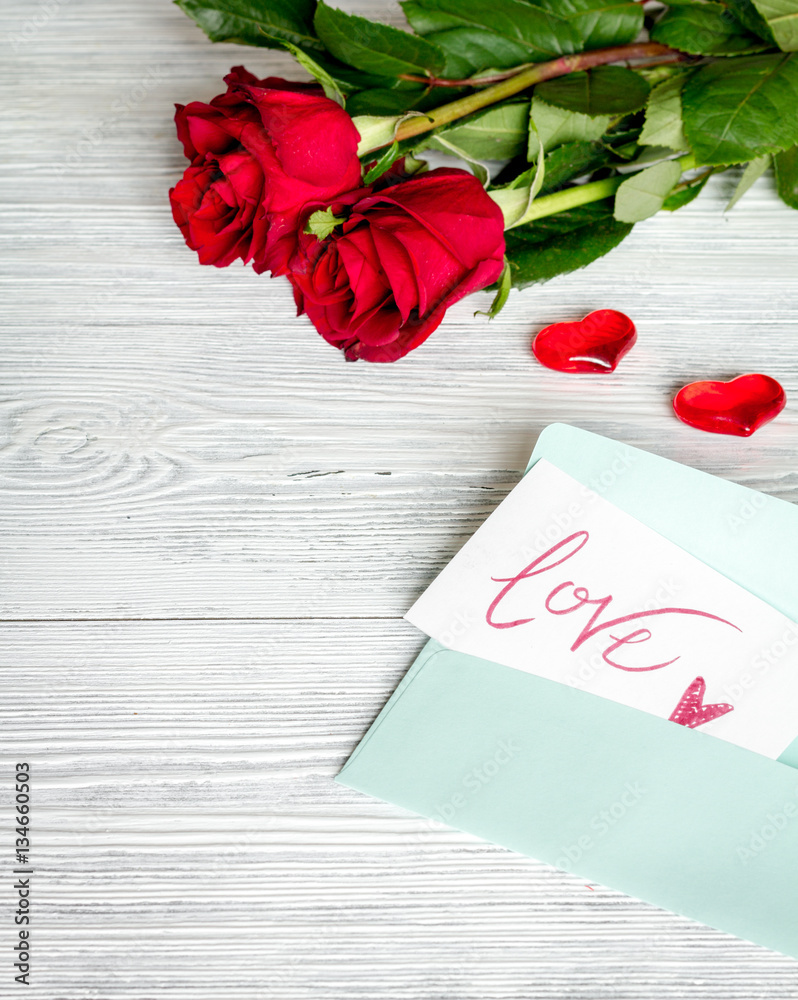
pixel 671 815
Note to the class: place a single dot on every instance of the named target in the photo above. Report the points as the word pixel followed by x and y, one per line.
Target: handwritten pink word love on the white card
pixel 556 556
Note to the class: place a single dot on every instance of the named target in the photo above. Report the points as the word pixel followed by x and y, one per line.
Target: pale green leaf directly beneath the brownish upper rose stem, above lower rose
pixel 497 133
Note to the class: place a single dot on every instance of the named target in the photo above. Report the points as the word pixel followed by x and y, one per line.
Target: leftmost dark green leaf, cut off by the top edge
pixel 268 23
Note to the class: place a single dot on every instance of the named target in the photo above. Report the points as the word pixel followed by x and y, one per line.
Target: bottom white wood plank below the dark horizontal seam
pixel 190 840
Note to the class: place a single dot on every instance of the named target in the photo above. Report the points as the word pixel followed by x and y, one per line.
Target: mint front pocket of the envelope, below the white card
pixel 668 814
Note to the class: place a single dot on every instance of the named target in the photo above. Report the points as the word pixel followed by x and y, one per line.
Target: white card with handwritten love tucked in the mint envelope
pixel 563 584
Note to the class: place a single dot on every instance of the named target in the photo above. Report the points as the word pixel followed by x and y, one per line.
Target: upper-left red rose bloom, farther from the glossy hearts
pixel 258 154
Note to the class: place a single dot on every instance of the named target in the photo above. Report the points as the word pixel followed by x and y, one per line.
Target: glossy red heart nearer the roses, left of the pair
pixel 595 344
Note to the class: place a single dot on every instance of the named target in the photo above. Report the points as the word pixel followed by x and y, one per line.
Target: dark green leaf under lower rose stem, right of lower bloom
pixel 563 243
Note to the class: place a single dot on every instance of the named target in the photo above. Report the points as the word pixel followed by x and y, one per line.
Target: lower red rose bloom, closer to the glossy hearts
pixel 381 283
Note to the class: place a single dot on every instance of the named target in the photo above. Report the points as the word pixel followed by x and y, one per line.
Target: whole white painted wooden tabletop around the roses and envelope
pixel 212 526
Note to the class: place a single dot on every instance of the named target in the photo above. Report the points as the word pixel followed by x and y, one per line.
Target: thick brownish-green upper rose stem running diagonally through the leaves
pixel 527 78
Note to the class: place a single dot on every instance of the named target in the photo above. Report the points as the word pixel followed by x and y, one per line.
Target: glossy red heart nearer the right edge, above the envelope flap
pixel 737 407
